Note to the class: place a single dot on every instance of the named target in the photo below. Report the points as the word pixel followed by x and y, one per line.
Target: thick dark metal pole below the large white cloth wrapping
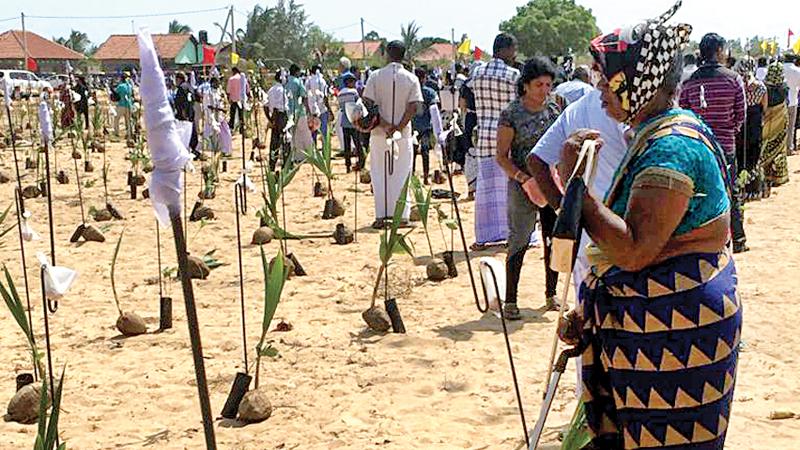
pixel 194 328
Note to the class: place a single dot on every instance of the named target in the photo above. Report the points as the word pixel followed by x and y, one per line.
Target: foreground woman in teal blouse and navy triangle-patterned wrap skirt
pixel 659 315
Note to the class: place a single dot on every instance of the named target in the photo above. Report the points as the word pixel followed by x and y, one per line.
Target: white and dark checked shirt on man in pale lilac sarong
pixel 495 87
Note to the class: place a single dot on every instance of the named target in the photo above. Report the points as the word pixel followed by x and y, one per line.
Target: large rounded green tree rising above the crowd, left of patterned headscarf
pixel 552 27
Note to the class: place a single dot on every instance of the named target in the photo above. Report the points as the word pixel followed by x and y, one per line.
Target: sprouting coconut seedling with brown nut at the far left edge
pixel 22 407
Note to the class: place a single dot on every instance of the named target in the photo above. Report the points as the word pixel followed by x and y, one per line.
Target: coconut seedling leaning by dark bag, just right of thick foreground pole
pixel 255 405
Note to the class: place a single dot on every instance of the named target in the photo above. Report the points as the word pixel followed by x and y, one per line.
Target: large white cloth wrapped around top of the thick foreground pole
pixel 167 150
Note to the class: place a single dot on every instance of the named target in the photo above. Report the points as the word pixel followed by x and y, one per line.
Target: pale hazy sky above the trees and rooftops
pixel 477 18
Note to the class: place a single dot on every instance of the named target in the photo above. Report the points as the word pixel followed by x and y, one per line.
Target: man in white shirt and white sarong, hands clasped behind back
pixel 396 92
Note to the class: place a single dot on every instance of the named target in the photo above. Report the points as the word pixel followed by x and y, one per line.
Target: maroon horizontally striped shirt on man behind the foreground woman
pixel 717 95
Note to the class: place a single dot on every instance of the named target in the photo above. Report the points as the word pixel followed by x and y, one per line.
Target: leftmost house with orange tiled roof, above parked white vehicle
pixel 49 56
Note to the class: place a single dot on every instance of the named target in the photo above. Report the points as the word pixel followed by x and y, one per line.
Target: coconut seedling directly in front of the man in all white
pixel 392 242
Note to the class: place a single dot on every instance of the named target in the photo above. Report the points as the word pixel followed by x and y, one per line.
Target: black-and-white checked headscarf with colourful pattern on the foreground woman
pixel 636 60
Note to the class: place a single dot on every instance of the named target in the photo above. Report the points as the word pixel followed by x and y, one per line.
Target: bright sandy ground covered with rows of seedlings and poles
pixel 445 384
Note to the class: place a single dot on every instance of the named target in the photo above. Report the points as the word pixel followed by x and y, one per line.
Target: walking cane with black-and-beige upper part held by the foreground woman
pixel 566 241
